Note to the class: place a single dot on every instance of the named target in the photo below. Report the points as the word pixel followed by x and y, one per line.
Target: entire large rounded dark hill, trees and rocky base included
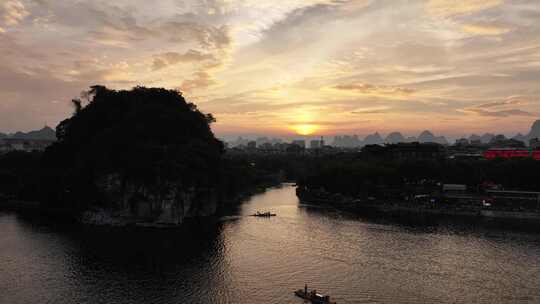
pixel 145 151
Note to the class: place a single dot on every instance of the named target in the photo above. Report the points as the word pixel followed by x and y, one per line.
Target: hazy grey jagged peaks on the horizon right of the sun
pixel 349 141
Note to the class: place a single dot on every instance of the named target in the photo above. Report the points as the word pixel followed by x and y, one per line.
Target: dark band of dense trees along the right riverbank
pixel 355 175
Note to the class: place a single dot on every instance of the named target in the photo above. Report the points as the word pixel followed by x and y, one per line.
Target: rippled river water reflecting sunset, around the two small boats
pixel 244 259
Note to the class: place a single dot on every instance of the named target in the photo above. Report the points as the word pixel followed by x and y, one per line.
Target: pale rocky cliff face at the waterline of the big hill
pixel 136 203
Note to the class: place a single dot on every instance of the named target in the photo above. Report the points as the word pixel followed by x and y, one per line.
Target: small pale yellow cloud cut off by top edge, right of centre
pixel 448 8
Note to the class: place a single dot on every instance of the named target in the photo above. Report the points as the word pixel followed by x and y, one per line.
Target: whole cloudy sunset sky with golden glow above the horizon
pixel 282 67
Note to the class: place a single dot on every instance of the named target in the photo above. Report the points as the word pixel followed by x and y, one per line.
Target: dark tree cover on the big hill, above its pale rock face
pixel 143 133
